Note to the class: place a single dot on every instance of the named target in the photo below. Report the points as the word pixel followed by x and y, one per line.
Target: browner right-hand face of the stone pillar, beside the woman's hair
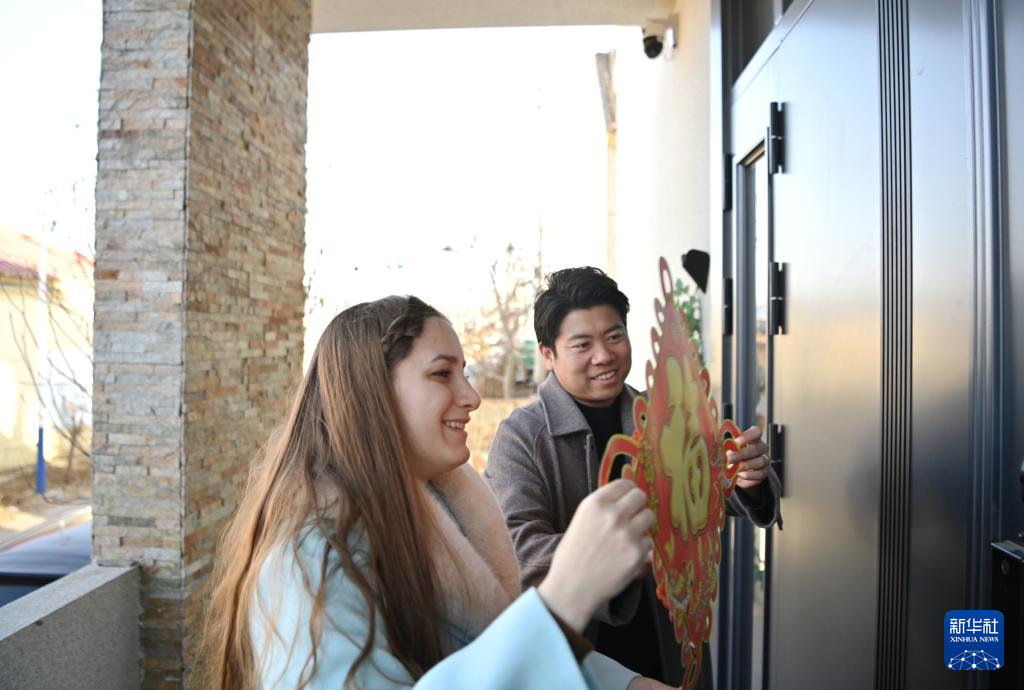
pixel 246 237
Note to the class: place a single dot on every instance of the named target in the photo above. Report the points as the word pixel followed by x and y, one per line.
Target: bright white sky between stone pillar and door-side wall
pixel 467 140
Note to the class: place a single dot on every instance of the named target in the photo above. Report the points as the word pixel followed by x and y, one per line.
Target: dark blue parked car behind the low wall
pixel 45 553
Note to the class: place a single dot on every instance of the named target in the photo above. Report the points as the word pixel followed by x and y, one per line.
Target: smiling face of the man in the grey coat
pixel 592 356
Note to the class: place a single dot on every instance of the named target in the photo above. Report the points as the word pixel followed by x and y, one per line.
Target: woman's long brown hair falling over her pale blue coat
pixel 339 463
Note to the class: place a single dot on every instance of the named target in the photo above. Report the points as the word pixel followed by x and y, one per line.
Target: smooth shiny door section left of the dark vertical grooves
pixel 822 382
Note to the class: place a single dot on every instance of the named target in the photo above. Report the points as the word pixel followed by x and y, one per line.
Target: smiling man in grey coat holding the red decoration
pixel 545 459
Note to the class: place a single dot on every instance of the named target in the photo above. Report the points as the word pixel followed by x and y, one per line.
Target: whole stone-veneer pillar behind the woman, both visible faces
pixel 200 220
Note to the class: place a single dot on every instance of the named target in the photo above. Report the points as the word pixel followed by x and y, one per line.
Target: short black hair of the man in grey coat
pixel 572 289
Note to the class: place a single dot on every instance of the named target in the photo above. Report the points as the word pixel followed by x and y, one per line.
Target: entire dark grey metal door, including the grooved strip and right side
pixel 898 215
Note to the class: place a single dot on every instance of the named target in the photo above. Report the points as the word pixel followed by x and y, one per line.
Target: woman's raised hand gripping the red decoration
pixel 605 547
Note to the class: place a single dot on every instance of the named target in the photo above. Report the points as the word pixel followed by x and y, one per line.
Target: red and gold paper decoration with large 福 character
pixel 677 456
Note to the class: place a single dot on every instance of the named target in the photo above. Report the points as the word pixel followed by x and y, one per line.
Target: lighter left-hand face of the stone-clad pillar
pixel 140 323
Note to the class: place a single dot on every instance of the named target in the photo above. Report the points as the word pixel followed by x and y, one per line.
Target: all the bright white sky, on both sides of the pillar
pixel 417 142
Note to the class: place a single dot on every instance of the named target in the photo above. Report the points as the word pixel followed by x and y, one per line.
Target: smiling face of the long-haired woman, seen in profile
pixel 435 401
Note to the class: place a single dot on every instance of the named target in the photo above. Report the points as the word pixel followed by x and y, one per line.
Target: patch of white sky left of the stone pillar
pixel 50 78
